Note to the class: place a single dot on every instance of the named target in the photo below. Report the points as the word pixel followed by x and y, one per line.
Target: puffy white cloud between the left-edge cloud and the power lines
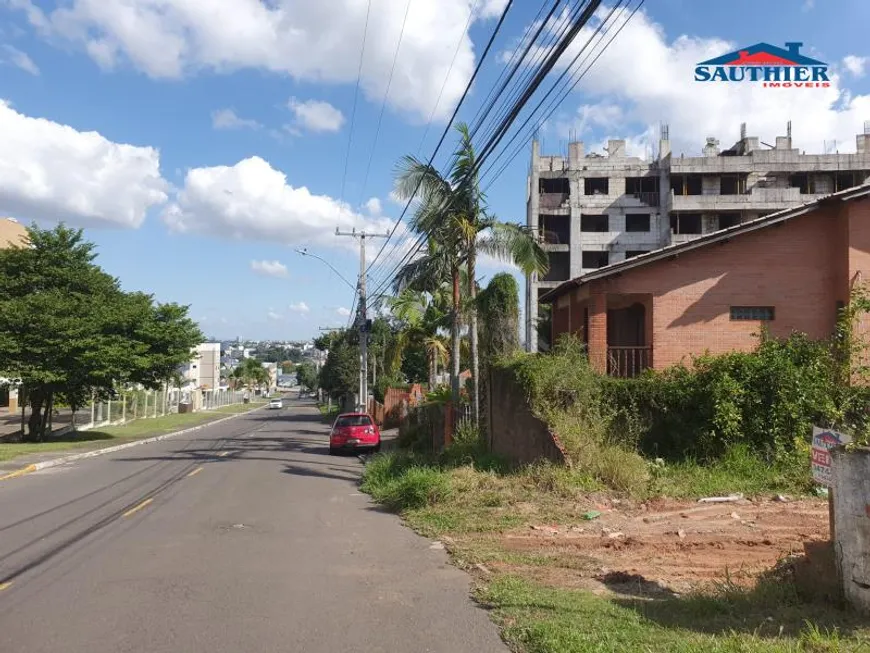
pixel 253 201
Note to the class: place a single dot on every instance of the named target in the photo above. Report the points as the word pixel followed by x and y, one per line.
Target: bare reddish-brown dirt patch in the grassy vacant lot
pixel 664 546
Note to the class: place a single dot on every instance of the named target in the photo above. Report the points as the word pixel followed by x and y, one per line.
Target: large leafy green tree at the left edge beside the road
pixel 69 331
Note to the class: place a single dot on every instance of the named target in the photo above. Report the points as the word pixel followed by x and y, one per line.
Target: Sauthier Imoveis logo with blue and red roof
pixel 767 64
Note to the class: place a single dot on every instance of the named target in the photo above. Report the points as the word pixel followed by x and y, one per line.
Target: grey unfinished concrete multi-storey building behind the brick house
pixel 591 210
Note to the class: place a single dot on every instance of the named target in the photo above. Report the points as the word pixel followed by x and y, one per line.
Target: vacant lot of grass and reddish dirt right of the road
pixel 566 567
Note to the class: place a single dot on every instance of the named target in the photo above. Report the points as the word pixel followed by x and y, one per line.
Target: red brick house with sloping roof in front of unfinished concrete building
pixel 790 270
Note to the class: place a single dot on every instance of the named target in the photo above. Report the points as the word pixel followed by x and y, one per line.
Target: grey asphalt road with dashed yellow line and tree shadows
pixel 241 537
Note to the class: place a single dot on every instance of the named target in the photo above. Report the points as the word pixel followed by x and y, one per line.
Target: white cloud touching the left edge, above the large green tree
pixel 52 172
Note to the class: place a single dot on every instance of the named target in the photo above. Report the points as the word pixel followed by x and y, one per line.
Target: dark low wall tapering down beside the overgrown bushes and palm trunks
pixel 514 432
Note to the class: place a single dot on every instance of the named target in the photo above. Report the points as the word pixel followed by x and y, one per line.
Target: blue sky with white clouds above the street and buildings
pixel 198 111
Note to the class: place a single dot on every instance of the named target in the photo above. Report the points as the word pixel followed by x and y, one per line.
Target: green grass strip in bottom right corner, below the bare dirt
pixel 767 619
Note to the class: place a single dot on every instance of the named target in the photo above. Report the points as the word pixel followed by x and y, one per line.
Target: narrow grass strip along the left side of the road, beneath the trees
pixel 108 436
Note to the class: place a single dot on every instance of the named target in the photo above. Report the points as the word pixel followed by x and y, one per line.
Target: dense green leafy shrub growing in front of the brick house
pixel 762 400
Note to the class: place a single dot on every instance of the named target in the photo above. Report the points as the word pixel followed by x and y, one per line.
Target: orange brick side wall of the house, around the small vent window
pixel 795 267
